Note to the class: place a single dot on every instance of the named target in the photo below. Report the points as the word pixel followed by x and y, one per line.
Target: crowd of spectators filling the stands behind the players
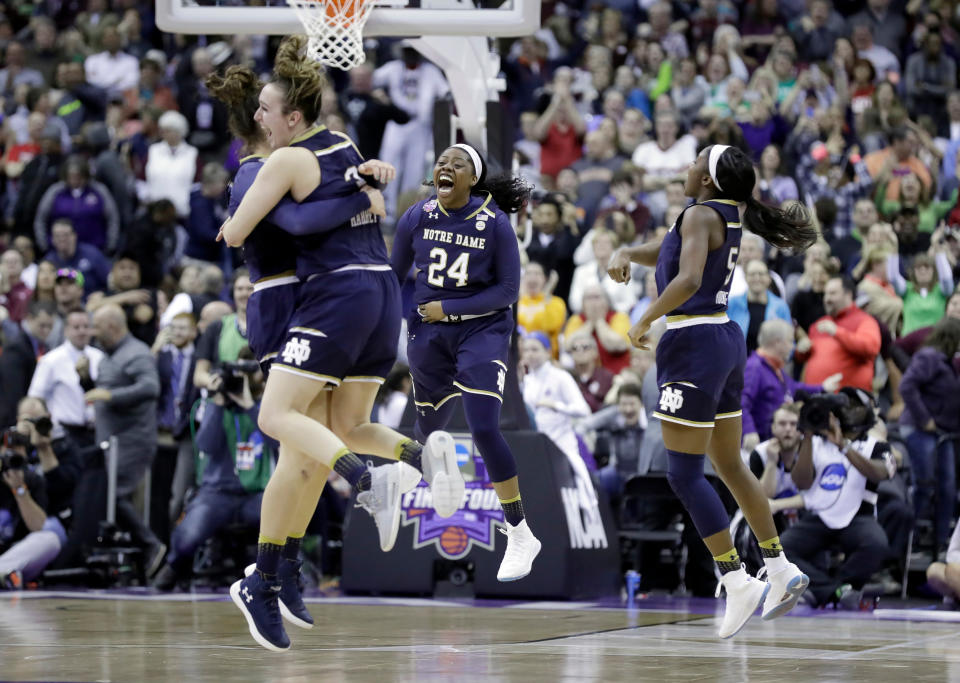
pixel 116 163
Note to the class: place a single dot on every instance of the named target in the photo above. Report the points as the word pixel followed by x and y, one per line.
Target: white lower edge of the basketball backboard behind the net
pixel 390 18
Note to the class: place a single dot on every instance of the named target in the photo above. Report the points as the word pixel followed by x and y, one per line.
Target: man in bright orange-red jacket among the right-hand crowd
pixel 845 340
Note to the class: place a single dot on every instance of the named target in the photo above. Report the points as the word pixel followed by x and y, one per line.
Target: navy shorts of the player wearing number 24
pixel 447 359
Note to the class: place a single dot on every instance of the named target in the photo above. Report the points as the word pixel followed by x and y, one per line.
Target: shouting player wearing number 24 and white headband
pixel 466 252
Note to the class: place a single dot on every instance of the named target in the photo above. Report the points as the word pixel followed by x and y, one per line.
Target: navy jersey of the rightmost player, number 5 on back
pixel 718 270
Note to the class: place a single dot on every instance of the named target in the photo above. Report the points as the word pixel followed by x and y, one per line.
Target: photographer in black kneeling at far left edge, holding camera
pixel 29 538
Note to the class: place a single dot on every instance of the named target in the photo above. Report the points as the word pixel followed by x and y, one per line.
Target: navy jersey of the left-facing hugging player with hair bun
pixel 357 241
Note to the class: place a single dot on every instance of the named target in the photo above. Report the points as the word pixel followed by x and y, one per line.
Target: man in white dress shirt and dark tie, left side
pixel 64 374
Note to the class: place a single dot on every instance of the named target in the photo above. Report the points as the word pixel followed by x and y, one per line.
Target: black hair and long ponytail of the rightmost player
pixel 788 228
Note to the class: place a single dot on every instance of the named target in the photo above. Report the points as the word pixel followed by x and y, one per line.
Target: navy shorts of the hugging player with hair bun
pixel 346 328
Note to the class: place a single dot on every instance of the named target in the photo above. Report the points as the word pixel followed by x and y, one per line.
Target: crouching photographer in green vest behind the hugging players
pixel 236 460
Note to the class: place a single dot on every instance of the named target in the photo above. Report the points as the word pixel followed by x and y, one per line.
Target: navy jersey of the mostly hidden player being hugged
pixel 268 250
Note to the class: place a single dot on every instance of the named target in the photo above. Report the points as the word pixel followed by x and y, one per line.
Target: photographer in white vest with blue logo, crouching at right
pixel 837 470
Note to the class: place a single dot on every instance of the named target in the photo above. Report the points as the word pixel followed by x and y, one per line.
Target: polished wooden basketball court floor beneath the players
pixel 48 636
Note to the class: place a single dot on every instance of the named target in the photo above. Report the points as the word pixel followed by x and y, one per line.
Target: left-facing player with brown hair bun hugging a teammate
pixel 344 332
